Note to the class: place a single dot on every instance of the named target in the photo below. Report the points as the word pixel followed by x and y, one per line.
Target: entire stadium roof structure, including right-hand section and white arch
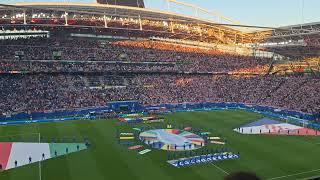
pixel 130 18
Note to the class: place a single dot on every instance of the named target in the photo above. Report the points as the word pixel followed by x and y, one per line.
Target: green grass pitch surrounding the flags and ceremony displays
pixel 270 157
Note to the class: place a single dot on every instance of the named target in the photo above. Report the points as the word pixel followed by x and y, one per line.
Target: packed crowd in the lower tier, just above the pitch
pixel 49 92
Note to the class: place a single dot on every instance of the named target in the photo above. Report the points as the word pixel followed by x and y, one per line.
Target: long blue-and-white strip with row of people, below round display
pixel 208 158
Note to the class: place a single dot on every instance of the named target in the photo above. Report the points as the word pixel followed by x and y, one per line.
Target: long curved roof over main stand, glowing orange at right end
pixel 130 21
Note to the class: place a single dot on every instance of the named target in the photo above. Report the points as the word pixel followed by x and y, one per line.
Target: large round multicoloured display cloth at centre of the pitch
pixel 172 139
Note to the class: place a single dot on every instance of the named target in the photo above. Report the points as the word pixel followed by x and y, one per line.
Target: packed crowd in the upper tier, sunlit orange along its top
pixel 187 58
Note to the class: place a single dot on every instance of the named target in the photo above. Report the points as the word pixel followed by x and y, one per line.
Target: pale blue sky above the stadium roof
pixel 271 13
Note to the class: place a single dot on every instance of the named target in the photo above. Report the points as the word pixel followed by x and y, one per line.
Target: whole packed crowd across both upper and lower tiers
pixel 79 77
